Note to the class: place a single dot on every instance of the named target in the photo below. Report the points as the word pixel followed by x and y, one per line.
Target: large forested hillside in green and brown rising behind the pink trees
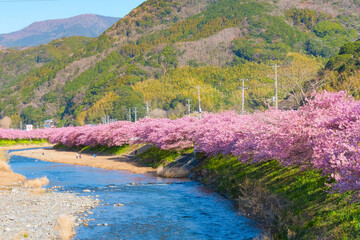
pixel 164 49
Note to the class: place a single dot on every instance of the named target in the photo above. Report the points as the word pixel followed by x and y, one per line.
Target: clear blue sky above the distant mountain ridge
pixel 17 14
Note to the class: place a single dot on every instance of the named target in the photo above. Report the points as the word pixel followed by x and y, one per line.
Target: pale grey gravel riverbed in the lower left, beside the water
pixel 34 215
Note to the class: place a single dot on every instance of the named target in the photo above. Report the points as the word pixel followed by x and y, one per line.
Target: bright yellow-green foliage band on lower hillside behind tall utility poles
pixel 220 85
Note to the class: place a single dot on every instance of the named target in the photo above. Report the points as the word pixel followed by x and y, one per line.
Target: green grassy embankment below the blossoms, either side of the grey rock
pixel 288 202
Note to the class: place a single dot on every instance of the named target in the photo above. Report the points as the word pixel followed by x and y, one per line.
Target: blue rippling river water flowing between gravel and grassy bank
pixel 153 207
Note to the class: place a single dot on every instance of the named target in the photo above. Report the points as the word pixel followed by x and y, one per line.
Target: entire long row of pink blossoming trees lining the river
pixel 323 134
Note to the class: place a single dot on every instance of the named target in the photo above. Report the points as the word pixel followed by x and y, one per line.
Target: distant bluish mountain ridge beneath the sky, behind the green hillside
pixel 88 25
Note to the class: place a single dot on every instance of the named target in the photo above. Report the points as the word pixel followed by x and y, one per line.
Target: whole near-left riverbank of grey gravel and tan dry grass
pixel 29 212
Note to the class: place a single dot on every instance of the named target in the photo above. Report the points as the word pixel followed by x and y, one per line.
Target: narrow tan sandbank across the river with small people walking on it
pixel 107 162
